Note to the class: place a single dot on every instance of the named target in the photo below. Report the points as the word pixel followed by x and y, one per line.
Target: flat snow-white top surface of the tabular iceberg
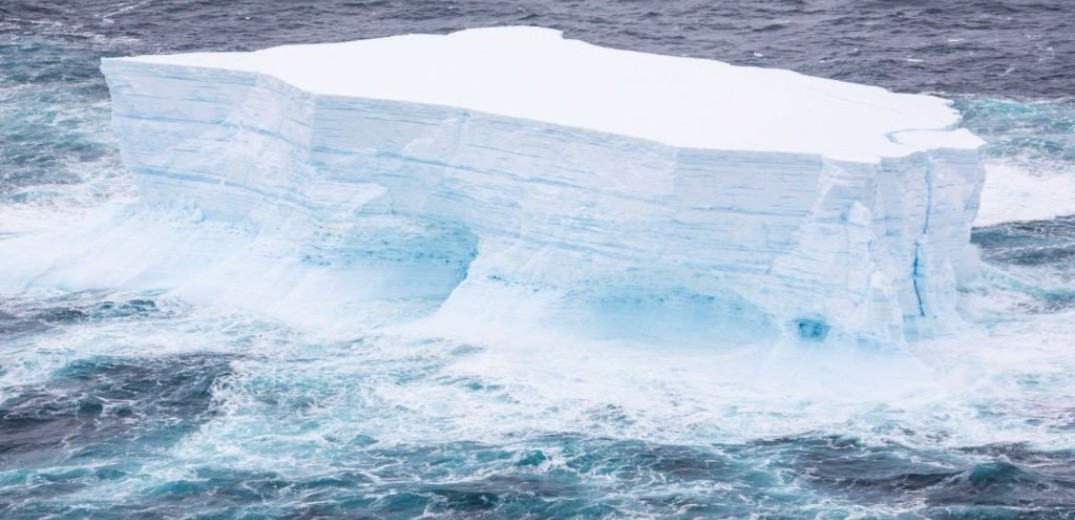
pixel 537 75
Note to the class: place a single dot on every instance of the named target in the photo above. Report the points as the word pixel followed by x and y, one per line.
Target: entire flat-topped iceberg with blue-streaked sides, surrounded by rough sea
pixel 510 177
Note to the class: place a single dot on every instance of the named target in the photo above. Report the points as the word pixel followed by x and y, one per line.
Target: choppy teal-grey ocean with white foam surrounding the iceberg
pixel 139 406
